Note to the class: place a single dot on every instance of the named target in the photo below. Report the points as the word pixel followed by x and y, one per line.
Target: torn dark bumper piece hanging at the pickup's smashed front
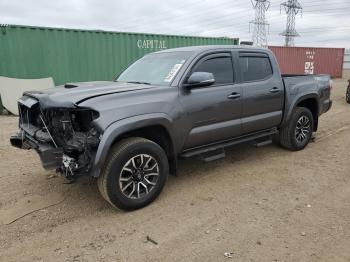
pixel 51 157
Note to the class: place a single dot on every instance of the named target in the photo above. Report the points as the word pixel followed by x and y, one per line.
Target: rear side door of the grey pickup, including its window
pixel 263 92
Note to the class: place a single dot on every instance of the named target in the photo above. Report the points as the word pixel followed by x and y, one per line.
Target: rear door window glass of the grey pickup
pixel 255 68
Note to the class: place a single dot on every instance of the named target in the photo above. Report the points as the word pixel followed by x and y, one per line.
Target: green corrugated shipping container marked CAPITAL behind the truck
pixel 81 55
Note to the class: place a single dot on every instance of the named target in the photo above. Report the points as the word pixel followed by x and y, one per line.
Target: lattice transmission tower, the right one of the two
pixel 292 8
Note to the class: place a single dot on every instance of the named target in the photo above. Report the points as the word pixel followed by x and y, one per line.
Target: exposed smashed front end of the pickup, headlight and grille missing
pixel 65 139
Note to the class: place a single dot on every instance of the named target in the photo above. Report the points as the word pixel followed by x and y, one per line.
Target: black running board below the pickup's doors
pixel 221 145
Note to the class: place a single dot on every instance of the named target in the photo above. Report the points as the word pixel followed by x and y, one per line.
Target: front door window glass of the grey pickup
pixel 220 67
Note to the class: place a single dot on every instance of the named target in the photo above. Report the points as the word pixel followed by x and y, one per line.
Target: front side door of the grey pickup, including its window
pixel 213 113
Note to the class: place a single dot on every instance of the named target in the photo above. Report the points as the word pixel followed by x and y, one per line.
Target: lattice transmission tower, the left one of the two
pixel 260 24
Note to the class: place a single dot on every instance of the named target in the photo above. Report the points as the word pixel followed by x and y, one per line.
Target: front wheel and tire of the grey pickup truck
pixel 134 174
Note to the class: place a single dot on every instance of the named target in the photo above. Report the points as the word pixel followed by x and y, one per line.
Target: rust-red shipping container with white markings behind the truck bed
pixel 310 60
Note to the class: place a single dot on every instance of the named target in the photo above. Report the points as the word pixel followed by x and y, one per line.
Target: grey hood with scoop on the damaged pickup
pixel 64 97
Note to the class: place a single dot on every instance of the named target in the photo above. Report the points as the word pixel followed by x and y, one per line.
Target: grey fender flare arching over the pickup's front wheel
pixel 123 126
